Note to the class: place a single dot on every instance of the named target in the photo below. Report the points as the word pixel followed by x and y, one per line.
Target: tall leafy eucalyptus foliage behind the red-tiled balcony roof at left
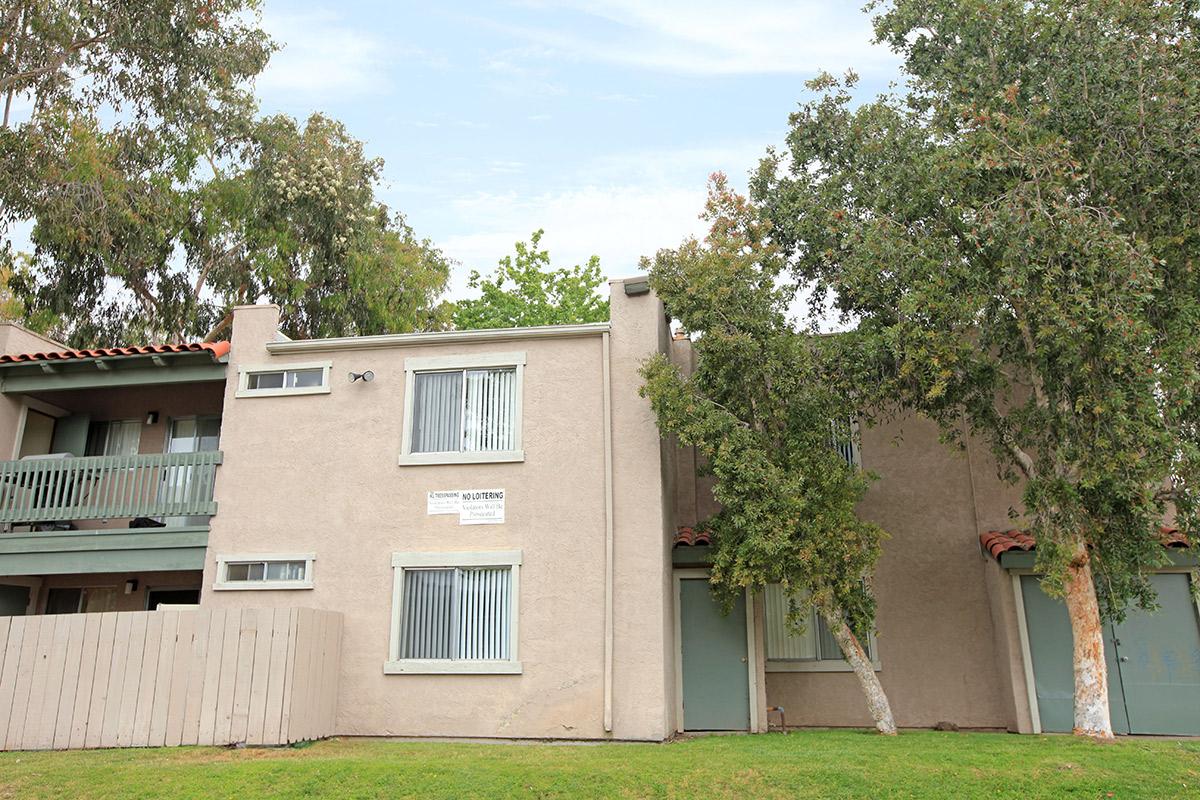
pixel 160 201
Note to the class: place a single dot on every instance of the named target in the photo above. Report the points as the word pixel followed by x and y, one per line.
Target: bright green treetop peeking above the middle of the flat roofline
pixel 526 291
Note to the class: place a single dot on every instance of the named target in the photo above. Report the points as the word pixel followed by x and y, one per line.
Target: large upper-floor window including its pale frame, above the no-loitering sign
pixel 464 410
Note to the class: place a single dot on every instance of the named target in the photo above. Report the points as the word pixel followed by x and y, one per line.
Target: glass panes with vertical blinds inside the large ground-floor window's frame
pixel 463 615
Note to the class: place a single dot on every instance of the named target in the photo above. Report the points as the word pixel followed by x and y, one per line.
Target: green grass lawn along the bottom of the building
pixel 802 765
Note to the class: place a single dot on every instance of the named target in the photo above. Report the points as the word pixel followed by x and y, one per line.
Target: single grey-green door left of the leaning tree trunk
pixel 716 678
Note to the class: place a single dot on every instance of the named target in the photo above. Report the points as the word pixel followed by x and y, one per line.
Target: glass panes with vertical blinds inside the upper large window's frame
pixel 465 411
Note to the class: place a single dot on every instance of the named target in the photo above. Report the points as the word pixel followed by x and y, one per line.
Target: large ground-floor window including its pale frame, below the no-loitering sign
pixel 455 613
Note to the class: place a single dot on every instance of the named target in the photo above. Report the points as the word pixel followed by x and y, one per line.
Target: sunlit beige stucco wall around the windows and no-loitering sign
pixel 320 474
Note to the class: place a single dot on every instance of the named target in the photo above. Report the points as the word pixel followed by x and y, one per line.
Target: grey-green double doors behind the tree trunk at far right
pixel 1154 661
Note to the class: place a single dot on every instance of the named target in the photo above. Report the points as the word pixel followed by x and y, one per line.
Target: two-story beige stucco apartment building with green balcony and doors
pixel 513 546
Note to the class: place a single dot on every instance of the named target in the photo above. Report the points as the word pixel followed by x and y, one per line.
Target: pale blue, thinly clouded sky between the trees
pixel 598 122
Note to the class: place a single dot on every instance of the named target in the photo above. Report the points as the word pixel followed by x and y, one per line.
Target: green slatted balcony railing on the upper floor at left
pixel 107 488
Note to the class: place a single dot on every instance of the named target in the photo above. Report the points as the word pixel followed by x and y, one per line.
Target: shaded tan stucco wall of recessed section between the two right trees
pixel 937 641
